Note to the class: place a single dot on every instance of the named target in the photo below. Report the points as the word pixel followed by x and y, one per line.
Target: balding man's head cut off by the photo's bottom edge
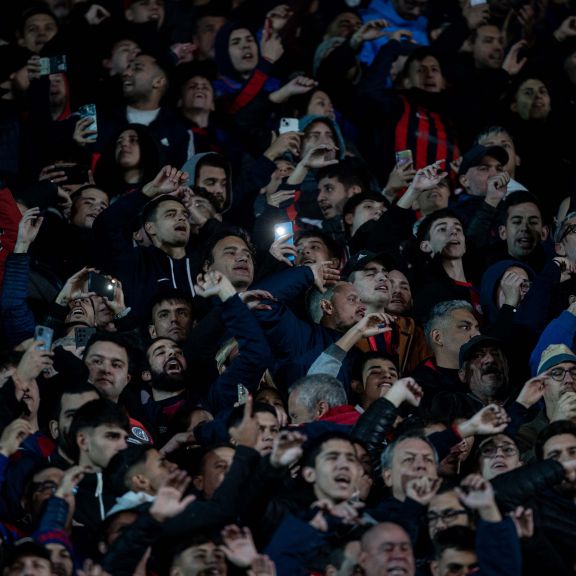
pixel 387 551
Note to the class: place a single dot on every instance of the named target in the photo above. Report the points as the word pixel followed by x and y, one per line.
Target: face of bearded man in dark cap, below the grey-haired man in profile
pixel 486 373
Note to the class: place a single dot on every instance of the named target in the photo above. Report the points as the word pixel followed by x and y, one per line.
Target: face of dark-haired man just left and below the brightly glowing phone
pixel 233 258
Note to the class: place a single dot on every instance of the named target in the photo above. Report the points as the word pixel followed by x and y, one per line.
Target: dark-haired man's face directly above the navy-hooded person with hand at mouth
pixel 523 231
